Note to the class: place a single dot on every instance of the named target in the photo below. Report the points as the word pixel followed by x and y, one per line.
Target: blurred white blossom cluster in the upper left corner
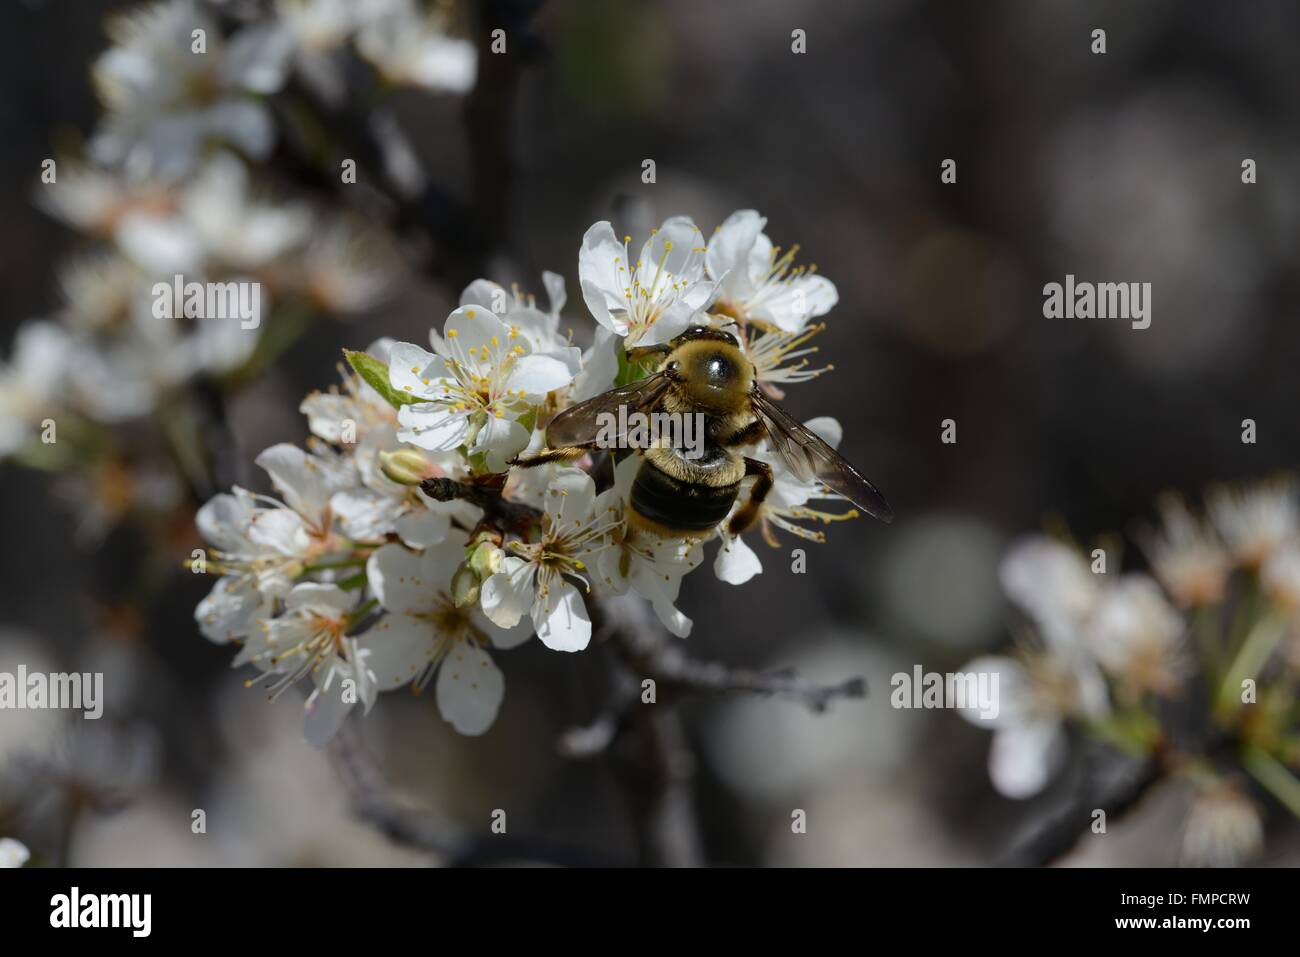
pixel 170 197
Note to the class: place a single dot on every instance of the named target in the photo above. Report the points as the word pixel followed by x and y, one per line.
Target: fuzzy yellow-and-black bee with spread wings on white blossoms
pixel 679 496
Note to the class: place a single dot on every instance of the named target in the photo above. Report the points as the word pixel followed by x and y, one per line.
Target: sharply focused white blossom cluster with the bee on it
pixel 404 547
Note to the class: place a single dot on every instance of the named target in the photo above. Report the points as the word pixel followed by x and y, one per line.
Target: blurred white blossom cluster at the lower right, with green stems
pixel 1189 666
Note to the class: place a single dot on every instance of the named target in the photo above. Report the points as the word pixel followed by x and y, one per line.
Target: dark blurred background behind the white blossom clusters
pixel 1121 167
